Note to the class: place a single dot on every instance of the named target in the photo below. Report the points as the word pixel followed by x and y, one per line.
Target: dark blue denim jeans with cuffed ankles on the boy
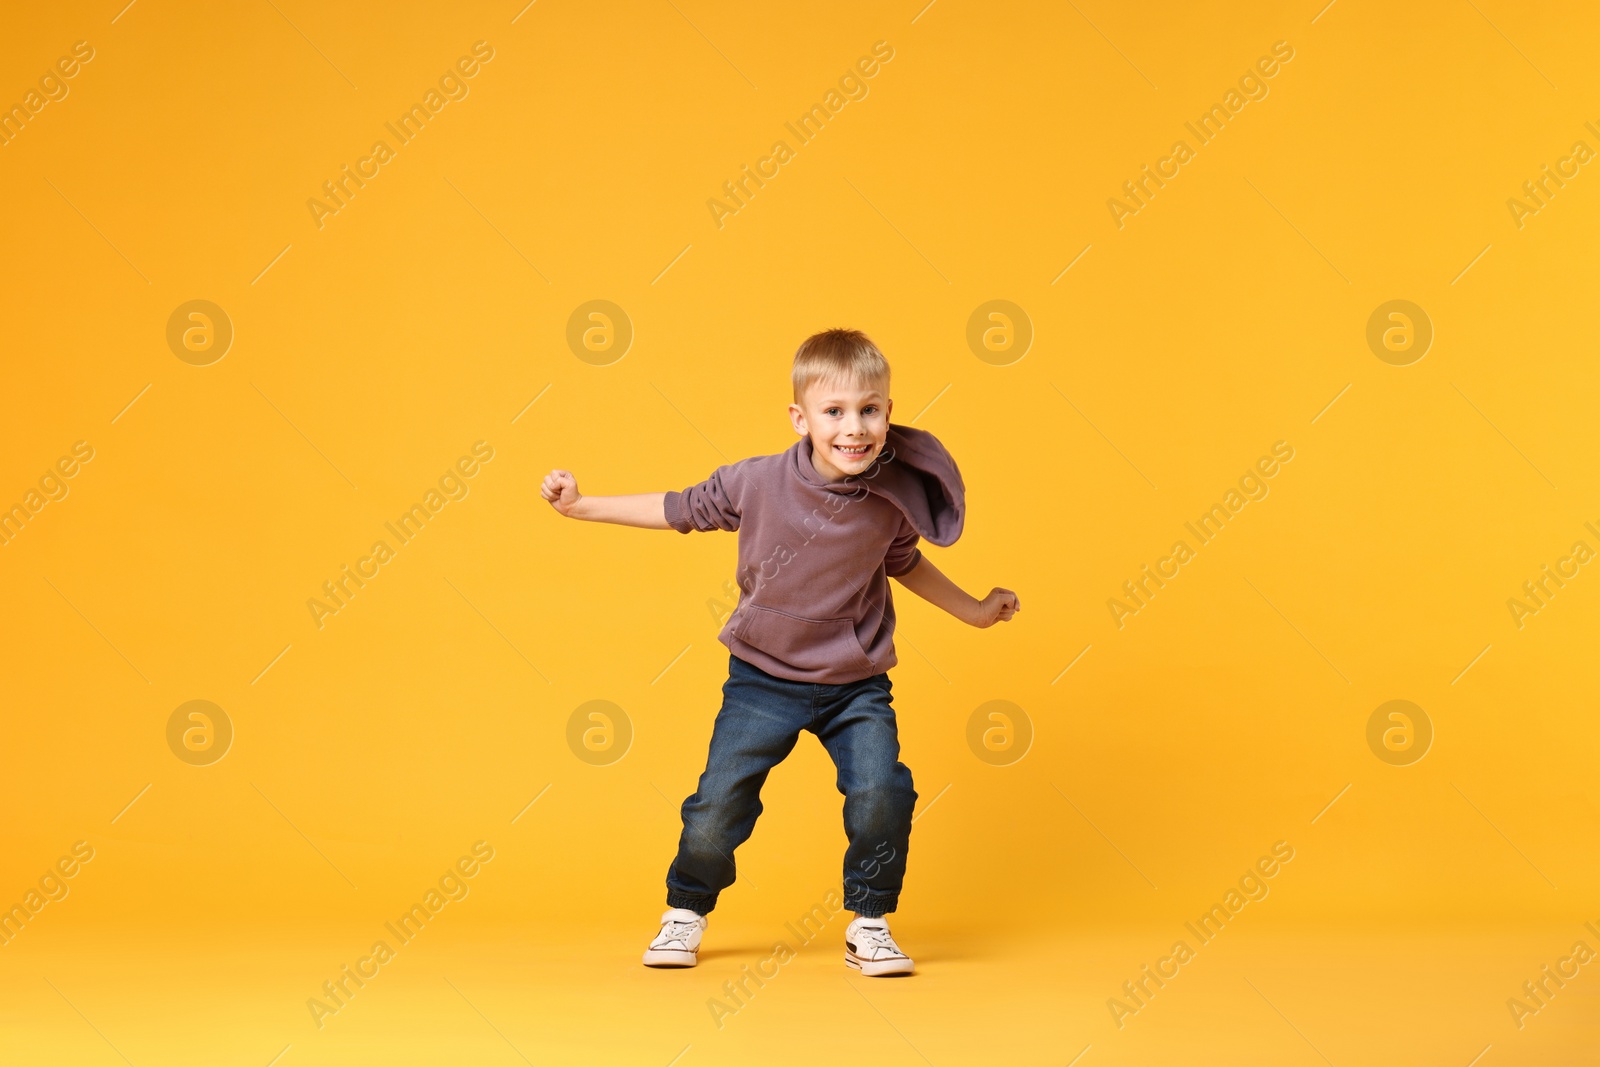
pixel 759 724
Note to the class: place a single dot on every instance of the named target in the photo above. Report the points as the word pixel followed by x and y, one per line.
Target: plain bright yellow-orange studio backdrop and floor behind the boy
pixel 433 310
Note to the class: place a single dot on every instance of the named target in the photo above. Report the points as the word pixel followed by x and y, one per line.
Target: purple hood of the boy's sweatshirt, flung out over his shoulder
pixel 914 473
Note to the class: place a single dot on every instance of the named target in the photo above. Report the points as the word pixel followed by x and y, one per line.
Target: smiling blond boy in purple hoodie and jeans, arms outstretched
pixel 823 527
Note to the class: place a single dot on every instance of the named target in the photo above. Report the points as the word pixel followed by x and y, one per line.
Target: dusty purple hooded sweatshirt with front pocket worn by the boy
pixel 815 556
